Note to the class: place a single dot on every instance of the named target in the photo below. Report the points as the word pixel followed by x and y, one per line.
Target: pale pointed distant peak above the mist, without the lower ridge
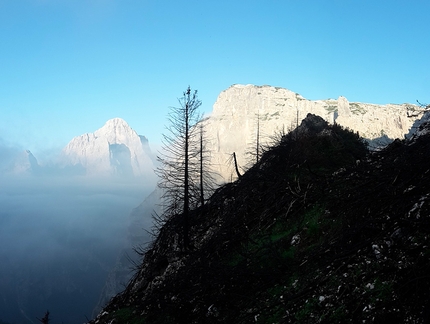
pixel 114 149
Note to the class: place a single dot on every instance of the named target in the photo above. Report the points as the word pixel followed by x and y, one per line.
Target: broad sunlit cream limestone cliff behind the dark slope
pixel 241 109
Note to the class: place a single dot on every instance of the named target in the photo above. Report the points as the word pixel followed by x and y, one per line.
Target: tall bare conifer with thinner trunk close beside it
pixel 182 164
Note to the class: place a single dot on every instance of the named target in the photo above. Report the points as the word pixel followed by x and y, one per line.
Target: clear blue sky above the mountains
pixel 67 66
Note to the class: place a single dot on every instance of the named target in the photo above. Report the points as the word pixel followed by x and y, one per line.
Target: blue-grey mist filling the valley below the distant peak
pixel 60 236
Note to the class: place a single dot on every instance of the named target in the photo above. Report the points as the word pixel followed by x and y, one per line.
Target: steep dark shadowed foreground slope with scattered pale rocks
pixel 319 231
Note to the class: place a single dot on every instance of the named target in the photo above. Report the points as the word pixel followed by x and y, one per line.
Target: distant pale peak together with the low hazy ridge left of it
pixel 113 150
